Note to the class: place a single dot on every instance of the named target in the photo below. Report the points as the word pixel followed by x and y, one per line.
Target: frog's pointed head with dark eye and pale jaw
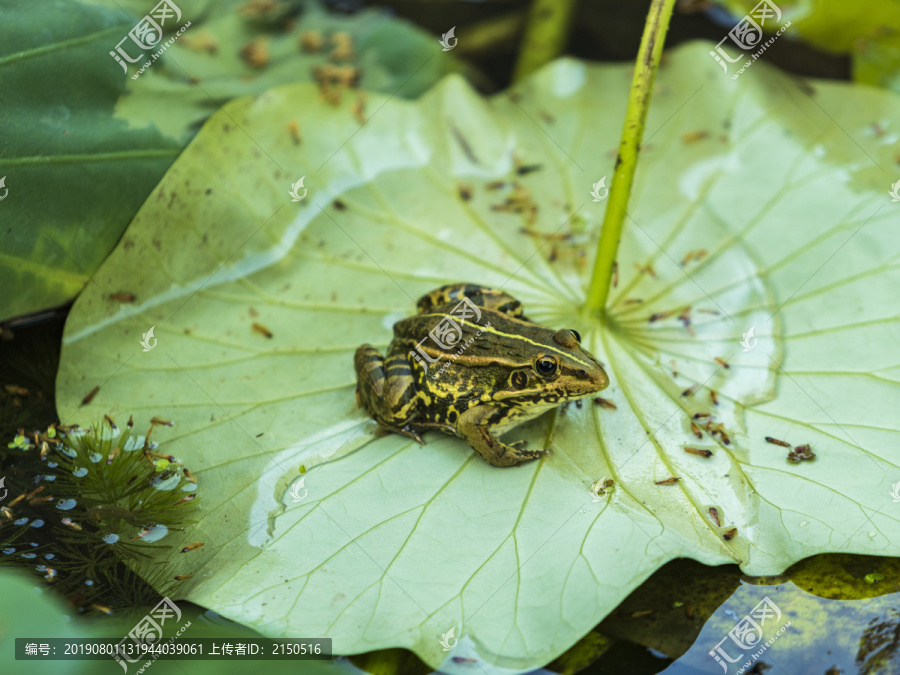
pixel 559 370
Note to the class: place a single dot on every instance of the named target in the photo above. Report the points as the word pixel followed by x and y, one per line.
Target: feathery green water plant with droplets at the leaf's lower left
pixel 79 503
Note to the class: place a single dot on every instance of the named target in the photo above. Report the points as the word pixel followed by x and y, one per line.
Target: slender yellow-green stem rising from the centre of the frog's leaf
pixel 626 161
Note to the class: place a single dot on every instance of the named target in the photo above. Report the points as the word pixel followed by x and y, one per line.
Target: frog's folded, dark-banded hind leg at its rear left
pixel 386 388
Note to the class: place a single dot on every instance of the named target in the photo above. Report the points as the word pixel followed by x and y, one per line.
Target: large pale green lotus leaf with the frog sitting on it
pixel 392 544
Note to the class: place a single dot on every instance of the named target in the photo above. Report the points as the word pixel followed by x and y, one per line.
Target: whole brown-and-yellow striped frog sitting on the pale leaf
pixel 469 363
